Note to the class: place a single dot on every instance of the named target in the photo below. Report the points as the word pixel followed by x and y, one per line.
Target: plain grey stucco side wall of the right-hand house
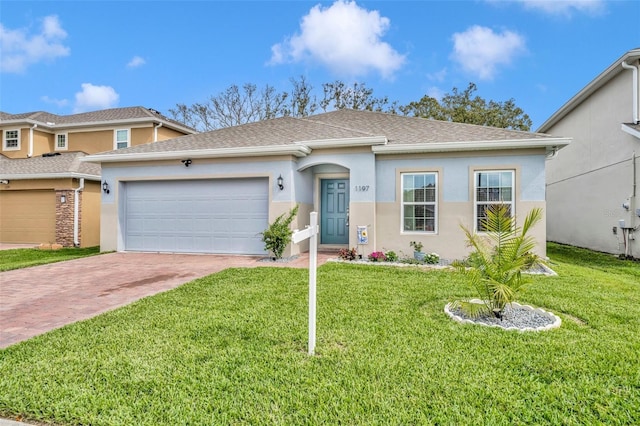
pixel 588 181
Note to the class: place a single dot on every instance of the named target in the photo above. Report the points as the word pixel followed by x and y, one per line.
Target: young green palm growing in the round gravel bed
pixel 500 256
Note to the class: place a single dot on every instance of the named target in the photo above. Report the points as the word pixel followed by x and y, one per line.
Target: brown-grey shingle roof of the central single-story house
pixel 342 124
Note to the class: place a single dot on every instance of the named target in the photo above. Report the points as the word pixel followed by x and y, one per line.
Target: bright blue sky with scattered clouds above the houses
pixel 75 56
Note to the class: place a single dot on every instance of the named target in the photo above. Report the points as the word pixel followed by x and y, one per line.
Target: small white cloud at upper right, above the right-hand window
pixel 481 51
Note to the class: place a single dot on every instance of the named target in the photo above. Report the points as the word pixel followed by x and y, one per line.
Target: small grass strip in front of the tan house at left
pixel 23 258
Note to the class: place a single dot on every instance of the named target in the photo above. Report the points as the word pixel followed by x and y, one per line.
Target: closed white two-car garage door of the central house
pixel 196 216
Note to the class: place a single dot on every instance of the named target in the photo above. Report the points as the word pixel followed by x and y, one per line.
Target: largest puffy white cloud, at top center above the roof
pixel 344 37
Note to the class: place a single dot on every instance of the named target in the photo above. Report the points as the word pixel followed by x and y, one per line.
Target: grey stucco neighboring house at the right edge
pixel 593 185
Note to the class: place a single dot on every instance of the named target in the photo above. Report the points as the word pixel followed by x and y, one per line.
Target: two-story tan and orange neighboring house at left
pixel 46 194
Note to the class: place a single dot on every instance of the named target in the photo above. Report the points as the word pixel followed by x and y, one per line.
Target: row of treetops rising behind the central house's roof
pixel 239 105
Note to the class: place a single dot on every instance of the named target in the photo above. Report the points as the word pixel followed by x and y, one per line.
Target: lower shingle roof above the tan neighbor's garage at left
pixel 65 165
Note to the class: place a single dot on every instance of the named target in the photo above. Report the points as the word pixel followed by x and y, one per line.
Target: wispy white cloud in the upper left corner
pixel 20 48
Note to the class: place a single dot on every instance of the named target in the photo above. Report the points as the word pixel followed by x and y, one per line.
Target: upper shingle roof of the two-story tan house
pixel 106 115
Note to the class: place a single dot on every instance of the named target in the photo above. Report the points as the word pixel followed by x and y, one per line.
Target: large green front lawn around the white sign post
pixel 231 349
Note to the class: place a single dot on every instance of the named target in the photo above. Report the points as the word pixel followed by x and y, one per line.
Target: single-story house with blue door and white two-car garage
pixel 402 178
